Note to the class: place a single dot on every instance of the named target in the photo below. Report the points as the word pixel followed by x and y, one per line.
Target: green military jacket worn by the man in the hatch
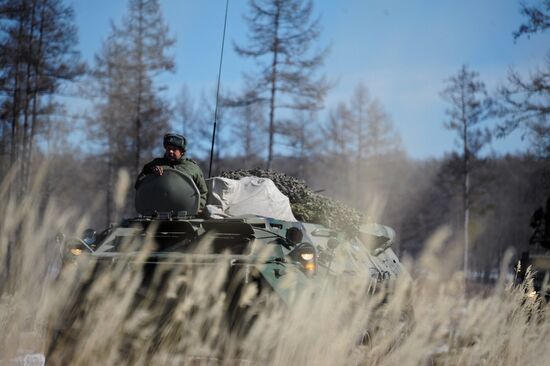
pixel 185 165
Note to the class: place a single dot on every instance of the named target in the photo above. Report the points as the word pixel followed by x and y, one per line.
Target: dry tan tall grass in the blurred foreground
pixel 78 315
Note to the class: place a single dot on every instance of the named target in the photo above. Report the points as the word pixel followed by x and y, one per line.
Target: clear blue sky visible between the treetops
pixel 402 50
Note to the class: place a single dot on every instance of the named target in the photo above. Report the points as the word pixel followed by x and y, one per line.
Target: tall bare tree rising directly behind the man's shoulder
pixel 145 40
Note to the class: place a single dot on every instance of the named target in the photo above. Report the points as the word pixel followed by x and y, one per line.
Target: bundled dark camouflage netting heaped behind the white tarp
pixel 306 205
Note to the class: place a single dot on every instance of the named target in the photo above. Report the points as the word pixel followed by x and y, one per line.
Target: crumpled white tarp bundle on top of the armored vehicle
pixel 247 196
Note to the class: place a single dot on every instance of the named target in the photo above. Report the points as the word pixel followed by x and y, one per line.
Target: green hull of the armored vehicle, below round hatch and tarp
pixel 254 244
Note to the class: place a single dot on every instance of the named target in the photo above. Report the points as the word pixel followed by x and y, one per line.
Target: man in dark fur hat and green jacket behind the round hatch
pixel 174 157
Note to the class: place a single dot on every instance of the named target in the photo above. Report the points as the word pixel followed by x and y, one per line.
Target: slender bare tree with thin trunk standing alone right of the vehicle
pixel 469 106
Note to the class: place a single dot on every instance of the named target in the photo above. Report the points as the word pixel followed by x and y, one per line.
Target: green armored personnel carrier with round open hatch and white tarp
pixel 247 223
